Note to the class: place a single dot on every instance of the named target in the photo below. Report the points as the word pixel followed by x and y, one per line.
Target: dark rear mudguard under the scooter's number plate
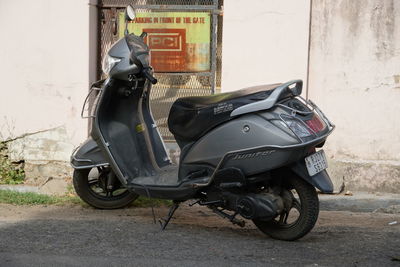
pixel 321 180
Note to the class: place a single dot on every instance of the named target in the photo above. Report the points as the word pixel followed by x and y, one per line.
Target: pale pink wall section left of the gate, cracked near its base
pixel 45 75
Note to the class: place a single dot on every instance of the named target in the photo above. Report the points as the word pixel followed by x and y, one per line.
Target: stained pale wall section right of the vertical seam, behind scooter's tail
pixel 355 79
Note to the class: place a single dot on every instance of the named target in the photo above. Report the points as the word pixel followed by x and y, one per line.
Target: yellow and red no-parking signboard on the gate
pixel 179 41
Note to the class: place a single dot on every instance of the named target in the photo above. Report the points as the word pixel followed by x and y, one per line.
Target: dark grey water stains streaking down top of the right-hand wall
pixel 369 23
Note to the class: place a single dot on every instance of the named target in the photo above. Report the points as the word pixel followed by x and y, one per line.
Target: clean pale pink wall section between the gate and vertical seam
pixel 264 41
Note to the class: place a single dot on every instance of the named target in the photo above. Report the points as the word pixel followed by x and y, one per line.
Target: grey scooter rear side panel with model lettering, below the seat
pixel 247 132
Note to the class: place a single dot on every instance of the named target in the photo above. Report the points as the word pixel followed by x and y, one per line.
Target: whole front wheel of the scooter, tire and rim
pixel 95 188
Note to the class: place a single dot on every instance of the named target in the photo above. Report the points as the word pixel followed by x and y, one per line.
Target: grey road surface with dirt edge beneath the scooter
pixel 76 236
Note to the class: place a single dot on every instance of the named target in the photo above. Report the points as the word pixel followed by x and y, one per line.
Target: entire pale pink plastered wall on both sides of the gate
pixel 48 50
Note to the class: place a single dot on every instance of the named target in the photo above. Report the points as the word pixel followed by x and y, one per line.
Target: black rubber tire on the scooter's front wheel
pixel 96 200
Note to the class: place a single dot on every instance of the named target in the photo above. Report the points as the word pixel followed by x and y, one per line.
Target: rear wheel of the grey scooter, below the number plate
pixel 299 218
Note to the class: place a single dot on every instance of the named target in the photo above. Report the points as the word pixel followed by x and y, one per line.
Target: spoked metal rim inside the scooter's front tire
pixel 97 180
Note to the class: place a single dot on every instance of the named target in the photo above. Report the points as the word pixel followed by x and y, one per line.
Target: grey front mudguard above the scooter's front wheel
pixel 88 155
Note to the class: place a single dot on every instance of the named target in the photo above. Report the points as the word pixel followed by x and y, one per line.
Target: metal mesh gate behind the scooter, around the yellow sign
pixel 170 85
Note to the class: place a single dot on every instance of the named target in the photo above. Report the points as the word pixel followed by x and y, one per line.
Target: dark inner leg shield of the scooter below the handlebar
pixel 117 132
